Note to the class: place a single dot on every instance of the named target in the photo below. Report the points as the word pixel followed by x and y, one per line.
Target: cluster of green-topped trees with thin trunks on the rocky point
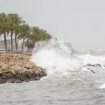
pixel 15 27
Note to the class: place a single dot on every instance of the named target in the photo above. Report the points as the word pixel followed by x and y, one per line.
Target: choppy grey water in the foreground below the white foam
pixel 81 88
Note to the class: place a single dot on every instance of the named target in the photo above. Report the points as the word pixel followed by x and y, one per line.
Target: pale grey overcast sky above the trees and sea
pixel 81 22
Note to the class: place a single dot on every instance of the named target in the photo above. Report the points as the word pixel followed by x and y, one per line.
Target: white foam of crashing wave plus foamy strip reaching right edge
pixel 57 58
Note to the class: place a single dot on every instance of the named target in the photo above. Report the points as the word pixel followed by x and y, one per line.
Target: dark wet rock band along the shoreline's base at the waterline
pixel 20 77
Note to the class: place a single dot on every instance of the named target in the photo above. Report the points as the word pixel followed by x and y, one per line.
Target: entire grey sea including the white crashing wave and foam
pixel 72 78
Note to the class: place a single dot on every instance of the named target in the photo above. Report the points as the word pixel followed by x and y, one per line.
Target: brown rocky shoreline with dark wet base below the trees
pixel 17 68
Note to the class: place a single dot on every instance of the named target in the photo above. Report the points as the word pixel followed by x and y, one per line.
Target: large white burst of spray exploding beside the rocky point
pixel 56 57
